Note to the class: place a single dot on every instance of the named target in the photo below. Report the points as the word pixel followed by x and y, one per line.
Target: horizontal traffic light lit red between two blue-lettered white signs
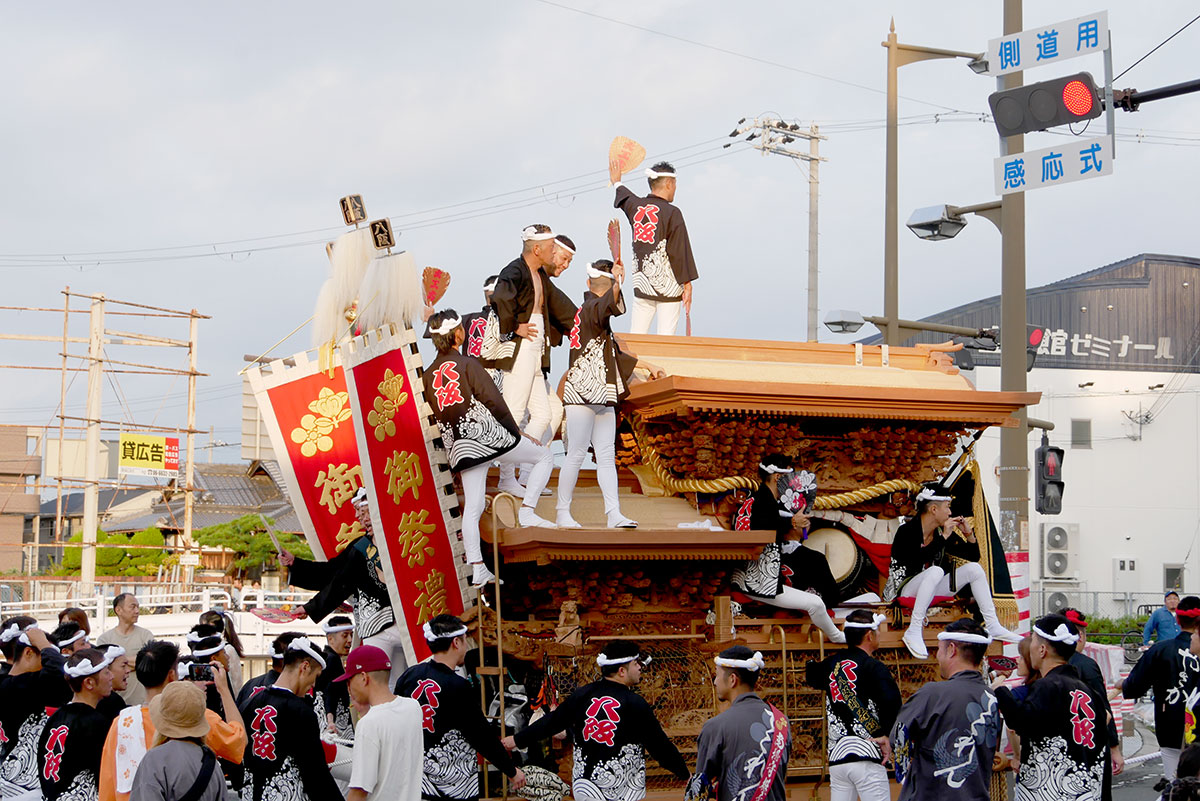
pixel 1037 107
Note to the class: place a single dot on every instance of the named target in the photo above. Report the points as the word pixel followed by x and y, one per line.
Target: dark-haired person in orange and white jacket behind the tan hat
pixel 133 733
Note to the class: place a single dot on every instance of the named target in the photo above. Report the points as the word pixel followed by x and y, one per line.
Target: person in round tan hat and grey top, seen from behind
pixel 179 766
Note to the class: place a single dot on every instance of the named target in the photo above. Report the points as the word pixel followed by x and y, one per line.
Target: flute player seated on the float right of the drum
pixel 921 557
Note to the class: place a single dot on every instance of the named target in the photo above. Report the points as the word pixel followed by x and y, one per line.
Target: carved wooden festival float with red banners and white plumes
pixel 871 423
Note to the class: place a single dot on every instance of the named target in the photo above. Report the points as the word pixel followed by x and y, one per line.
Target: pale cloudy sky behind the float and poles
pixel 193 158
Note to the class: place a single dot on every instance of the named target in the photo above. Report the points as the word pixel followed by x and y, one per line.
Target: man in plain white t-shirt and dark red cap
pixel 388 744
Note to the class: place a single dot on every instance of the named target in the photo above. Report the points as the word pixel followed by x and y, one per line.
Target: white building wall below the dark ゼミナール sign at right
pixel 1135 495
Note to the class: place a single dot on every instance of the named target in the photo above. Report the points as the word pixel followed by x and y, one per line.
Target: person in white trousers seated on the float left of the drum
pixel 764 577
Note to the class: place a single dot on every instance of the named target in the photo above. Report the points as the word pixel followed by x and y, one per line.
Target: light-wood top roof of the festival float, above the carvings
pixel 815 381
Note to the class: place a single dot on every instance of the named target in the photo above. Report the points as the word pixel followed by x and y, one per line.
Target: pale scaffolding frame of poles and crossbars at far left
pixel 100 365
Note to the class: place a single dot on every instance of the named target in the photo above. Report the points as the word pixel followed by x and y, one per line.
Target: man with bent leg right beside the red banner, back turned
pixel 477 429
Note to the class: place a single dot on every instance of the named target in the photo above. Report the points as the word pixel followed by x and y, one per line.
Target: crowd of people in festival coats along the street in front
pixel 136 719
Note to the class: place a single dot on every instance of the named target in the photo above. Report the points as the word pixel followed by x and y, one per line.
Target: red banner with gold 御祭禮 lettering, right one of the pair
pixel 406 496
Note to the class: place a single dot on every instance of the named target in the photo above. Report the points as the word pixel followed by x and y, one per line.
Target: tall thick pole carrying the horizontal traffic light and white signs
pixel 1015 466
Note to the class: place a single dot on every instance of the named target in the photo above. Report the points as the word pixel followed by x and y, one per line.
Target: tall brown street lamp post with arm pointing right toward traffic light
pixel 898 57
